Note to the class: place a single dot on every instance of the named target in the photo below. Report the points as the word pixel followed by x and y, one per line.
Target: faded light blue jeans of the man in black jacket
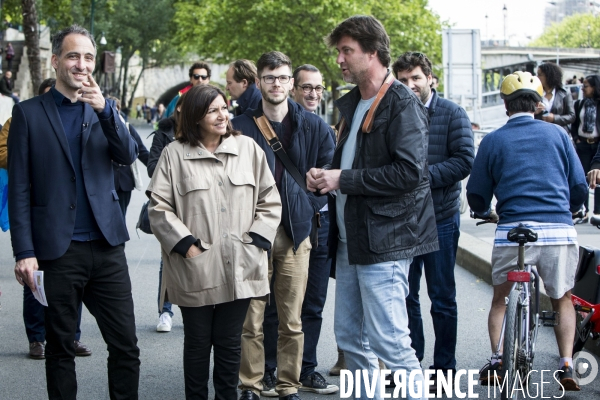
pixel 370 317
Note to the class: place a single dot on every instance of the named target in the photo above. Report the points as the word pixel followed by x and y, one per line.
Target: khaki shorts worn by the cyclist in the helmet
pixel 556 264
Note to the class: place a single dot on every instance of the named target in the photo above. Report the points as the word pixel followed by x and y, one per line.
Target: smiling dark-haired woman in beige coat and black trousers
pixel 214 208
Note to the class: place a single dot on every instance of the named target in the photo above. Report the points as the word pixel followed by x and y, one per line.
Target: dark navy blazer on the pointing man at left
pixel 42 193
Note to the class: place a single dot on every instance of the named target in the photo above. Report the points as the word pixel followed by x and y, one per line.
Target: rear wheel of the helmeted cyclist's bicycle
pixel 510 349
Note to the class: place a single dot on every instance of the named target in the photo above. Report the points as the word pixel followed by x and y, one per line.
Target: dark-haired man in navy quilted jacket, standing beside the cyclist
pixel 450 161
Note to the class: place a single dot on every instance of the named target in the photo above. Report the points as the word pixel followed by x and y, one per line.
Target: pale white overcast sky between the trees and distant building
pixel 525 17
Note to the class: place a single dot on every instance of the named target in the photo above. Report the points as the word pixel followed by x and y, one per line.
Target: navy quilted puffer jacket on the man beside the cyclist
pixel 450 154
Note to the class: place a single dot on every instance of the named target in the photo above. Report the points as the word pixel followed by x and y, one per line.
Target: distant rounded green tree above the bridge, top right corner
pixel 579 30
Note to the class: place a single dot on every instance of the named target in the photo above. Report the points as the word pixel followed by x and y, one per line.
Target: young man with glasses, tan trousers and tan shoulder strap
pixel 308 142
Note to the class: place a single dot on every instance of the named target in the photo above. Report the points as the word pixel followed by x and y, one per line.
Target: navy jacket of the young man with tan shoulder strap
pixel 311 146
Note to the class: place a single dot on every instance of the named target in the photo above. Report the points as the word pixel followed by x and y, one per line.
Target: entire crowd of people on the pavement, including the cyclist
pixel 254 214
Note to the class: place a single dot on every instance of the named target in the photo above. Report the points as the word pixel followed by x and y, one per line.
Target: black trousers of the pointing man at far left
pixel 96 273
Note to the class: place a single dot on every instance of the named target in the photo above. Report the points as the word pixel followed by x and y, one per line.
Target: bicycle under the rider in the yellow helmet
pixel 522 317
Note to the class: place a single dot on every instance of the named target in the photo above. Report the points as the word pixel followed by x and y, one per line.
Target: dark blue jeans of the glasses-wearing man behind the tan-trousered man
pixel 312 307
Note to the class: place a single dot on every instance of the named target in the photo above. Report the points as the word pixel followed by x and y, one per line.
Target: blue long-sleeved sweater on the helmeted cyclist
pixel 532 169
